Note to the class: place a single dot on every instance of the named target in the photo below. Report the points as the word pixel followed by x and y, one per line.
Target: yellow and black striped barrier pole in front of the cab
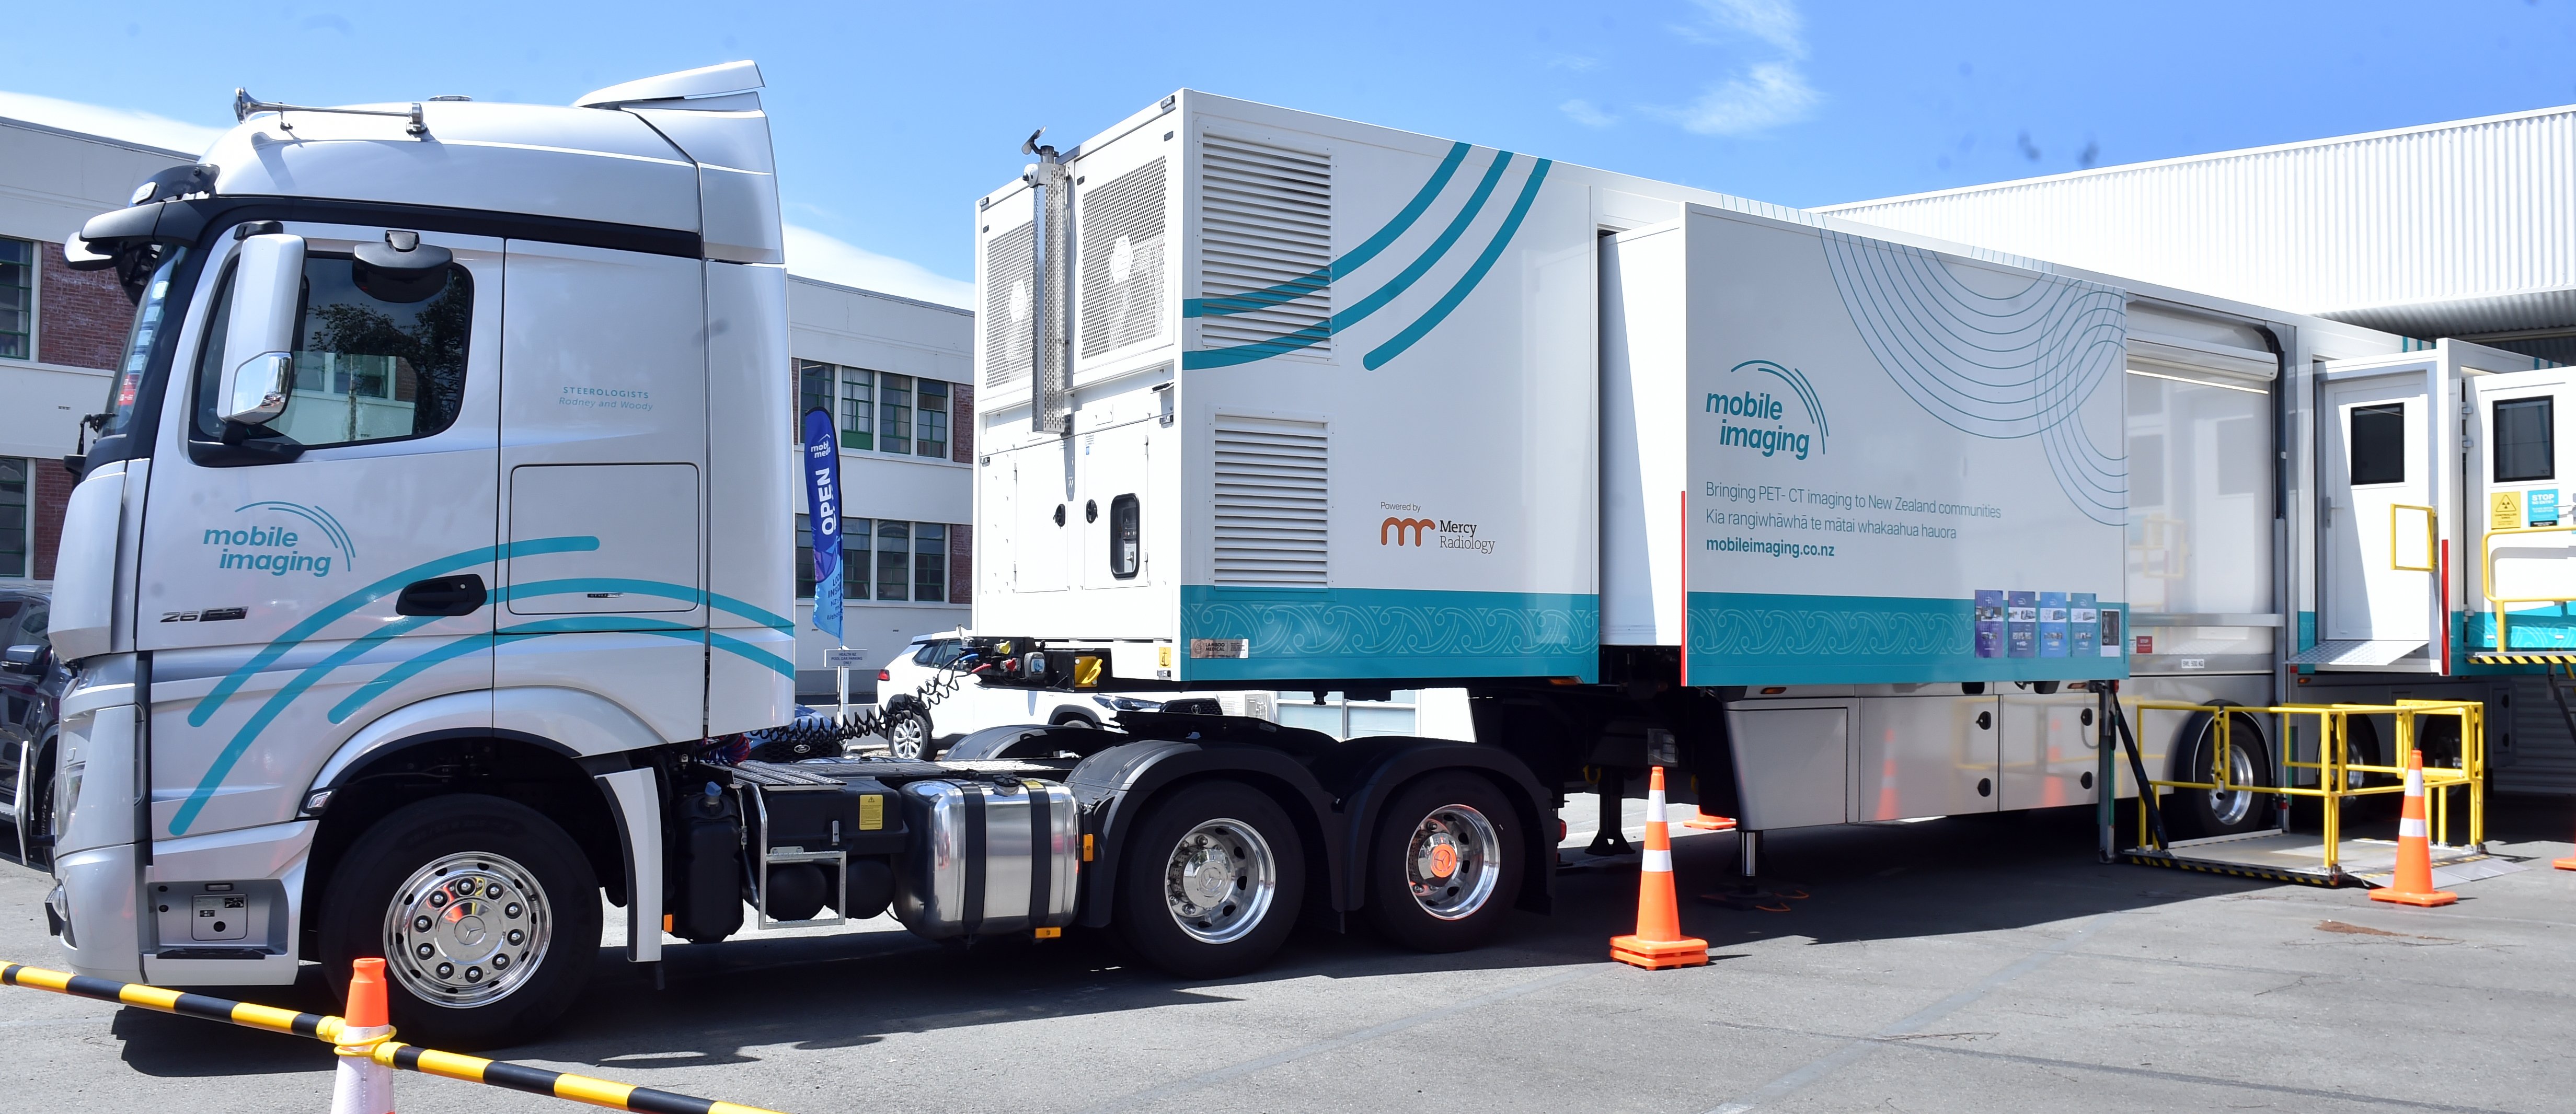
pixel 426 1061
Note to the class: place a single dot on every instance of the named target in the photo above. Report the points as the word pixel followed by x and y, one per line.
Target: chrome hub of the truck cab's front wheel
pixel 468 930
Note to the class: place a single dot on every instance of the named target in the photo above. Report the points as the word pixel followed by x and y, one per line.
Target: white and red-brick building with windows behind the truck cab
pixel 895 374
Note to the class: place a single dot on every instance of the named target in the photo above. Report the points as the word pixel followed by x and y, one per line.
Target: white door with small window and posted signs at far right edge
pixel 2515 513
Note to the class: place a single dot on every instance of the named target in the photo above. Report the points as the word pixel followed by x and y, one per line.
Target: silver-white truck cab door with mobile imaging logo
pixel 282 593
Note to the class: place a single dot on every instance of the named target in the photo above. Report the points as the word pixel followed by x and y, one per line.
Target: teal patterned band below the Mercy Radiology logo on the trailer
pixel 1323 634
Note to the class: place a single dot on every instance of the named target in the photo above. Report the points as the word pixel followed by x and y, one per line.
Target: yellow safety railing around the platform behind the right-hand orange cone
pixel 2335 771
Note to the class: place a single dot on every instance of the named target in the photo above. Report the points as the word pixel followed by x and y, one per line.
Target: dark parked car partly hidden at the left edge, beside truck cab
pixel 30 704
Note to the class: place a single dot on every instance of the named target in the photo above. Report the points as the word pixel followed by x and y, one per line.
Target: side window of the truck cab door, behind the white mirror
pixel 375 359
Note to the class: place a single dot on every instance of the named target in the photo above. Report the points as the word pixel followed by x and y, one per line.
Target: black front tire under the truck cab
pixel 501 843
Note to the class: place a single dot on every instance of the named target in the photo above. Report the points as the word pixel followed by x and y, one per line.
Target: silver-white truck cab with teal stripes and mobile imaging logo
pixel 447 446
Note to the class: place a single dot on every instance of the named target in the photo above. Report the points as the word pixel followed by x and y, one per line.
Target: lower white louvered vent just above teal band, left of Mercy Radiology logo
pixel 1271 503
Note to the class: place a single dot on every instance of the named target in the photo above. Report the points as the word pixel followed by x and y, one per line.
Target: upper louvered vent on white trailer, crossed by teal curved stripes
pixel 1264 220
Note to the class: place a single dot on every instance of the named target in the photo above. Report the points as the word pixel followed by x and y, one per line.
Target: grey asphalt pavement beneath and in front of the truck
pixel 1949 966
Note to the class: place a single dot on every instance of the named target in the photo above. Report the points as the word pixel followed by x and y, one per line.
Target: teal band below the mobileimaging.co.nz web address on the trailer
pixel 1802 639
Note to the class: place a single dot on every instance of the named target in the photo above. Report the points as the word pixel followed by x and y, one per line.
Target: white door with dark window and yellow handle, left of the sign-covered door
pixel 2384 482
